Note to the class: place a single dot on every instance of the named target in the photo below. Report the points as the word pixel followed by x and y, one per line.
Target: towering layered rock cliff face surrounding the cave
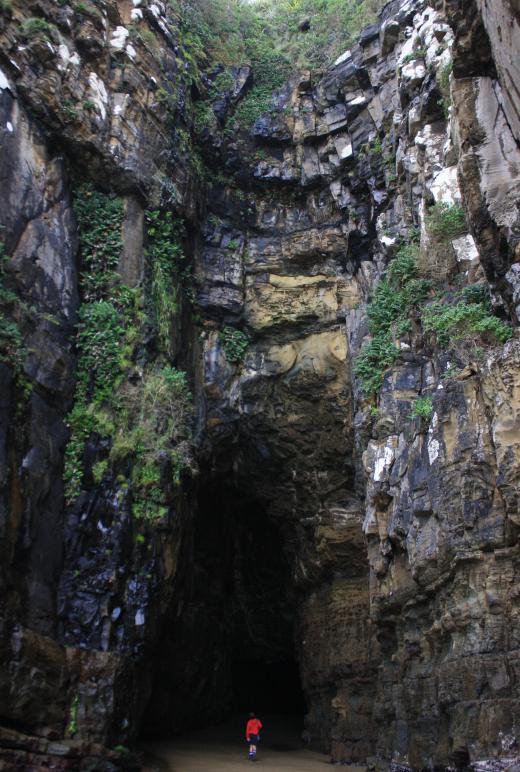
pixel 371 534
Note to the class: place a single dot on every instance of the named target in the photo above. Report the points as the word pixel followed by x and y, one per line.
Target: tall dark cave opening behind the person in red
pixel 230 645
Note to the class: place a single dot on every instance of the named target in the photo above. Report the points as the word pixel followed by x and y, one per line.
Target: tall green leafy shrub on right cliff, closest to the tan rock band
pixel 396 297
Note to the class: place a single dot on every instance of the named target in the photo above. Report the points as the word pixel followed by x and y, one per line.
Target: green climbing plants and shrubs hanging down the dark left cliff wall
pixel 147 417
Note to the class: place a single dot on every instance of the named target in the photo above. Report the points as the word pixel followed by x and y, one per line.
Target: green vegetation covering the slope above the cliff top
pixel 266 35
